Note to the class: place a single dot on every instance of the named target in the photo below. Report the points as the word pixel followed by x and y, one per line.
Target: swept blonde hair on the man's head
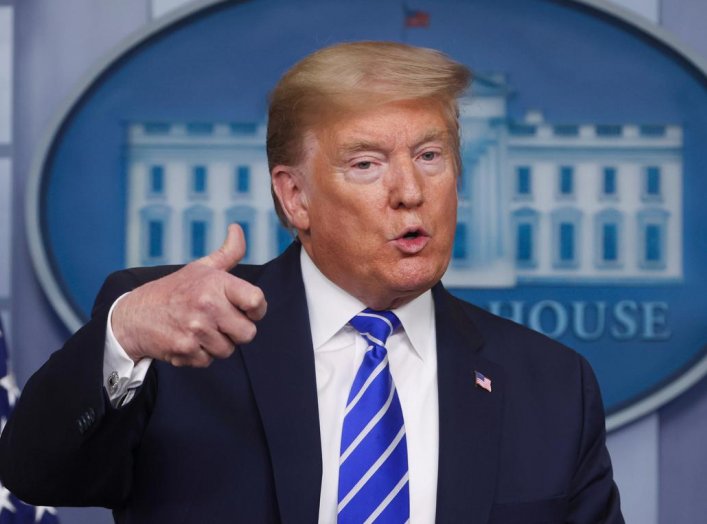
pixel 344 77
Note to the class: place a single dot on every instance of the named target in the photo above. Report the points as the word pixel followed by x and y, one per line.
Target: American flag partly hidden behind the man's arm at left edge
pixel 12 509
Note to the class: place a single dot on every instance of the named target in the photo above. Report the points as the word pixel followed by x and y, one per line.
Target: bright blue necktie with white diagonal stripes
pixel 373 465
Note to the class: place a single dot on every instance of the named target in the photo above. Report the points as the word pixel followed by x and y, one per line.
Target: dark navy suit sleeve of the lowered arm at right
pixel 594 497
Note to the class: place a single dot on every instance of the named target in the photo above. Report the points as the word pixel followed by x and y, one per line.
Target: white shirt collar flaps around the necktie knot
pixel 330 309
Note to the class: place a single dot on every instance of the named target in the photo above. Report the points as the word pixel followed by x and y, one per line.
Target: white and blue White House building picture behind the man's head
pixel 539 202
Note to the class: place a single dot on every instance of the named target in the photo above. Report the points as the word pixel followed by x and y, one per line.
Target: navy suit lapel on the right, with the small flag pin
pixel 470 417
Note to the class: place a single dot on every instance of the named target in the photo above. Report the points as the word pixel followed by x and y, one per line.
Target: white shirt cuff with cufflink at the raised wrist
pixel 121 376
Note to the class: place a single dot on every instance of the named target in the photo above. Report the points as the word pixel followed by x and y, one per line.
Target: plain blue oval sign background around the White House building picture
pixel 576 63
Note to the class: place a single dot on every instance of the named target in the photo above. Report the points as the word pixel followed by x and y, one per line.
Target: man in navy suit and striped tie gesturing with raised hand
pixel 184 401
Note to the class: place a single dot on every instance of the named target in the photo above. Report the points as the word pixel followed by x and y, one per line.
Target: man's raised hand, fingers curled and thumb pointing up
pixel 194 315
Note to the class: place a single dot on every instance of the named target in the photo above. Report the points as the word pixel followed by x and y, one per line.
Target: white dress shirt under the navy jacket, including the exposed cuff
pixel 338 352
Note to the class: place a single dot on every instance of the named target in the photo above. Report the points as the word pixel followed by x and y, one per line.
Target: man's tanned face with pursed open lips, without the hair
pixel 381 201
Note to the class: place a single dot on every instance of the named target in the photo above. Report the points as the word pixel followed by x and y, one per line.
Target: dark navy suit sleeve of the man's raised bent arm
pixel 65 445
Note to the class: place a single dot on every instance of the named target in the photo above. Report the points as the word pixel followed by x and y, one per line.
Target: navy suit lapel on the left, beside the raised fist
pixel 280 364
